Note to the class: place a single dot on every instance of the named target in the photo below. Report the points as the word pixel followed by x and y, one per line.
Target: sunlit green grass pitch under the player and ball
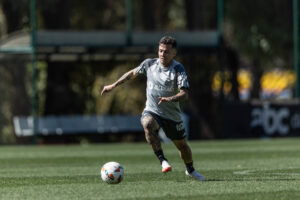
pixel 235 169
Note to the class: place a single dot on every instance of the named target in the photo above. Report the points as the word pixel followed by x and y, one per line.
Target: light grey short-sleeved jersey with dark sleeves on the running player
pixel 163 82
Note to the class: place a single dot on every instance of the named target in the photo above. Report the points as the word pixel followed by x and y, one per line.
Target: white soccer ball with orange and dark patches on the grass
pixel 112 173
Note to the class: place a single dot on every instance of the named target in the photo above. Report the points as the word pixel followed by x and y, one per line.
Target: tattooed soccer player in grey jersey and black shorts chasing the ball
pixel 167 84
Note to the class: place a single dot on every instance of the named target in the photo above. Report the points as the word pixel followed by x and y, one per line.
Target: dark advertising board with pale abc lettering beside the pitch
pixel 261 119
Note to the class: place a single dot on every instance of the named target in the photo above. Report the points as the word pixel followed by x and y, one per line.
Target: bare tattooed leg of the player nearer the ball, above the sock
pixel 151 128
